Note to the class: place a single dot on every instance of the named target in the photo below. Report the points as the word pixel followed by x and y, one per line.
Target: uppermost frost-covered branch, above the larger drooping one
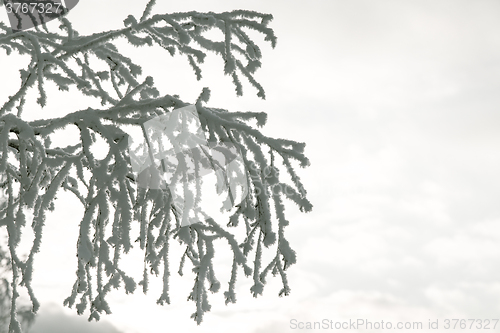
pixel 178 33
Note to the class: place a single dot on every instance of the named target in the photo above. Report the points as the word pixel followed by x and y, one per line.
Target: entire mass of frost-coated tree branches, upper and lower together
pixel 34 170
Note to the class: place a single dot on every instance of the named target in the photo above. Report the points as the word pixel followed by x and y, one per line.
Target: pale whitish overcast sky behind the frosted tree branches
pixel 398 104
